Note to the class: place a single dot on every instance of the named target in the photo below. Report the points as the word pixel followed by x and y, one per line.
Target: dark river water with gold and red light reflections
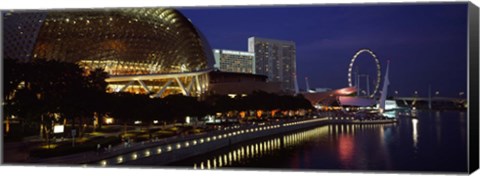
pixel 436 141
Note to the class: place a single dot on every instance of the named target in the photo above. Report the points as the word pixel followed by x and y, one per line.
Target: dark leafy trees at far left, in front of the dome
pixel 61 89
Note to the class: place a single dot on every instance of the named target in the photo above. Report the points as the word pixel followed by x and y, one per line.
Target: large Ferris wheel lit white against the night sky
pixel 378 76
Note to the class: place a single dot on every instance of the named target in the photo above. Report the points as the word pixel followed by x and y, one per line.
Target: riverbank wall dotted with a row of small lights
pixel 183 149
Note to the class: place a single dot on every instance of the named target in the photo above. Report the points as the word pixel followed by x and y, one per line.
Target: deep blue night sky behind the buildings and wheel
pixel 425 43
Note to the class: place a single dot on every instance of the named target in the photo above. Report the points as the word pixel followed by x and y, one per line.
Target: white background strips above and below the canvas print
pixel 56 4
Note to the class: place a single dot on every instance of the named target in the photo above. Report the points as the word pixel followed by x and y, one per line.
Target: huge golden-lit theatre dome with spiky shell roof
pixel 155 51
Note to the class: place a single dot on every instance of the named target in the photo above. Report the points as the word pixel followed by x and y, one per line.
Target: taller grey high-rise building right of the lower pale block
pixel 275 59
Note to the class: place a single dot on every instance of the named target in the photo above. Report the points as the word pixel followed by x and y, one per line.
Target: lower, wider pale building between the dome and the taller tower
pixel 234 61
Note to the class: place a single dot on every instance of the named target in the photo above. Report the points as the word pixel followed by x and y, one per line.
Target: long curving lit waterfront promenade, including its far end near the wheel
pixel 167 150
